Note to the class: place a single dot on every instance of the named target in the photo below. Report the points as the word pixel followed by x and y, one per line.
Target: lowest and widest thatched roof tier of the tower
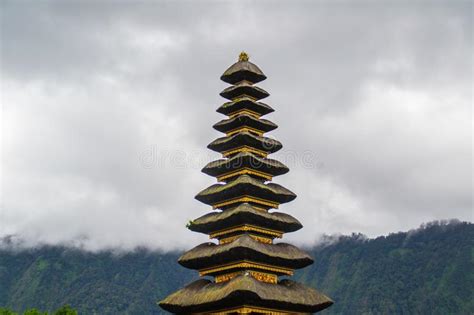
pixel 204 295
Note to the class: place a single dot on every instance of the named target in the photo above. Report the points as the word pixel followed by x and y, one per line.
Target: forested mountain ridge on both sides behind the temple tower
pixel 429 270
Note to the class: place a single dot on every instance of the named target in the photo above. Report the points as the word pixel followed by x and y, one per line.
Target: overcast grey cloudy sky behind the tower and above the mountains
pixel 107 108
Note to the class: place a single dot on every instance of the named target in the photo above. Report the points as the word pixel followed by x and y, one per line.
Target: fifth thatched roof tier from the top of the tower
pixel 245 139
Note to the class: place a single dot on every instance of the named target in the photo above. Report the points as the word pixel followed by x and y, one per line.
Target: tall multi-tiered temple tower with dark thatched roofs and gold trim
pixel 246 266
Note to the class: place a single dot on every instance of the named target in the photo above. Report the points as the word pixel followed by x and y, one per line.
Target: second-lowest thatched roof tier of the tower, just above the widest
pixel 245 248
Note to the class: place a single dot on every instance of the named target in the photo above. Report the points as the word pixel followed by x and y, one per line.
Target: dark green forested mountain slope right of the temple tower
pixel 428 271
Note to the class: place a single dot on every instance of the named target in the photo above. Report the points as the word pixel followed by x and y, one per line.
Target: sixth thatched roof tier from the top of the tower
pixel 224 169
